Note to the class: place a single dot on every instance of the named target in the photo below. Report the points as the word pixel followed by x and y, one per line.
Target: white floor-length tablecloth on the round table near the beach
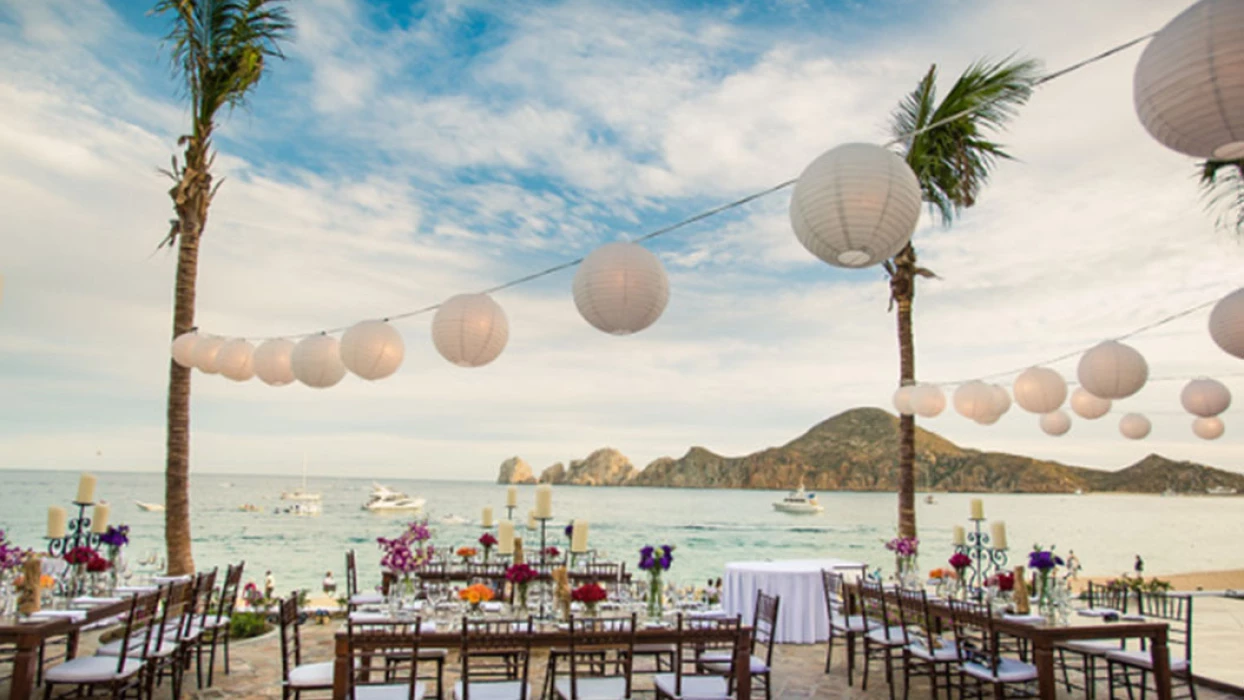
pixel 802 616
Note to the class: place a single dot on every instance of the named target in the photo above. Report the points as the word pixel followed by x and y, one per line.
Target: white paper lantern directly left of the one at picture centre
pixel 472 330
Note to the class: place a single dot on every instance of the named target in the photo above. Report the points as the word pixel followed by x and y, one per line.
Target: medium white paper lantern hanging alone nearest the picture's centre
pixel 621 289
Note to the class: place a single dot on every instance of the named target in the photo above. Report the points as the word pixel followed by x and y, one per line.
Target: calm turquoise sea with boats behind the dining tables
pixel 708 528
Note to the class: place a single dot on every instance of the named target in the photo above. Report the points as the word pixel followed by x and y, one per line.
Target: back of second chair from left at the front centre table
pixel 494 651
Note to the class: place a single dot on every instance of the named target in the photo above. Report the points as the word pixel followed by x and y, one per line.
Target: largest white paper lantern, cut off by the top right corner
pixel 1190 83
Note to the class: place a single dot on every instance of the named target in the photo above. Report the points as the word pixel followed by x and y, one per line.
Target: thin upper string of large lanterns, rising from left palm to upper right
pixel 737 203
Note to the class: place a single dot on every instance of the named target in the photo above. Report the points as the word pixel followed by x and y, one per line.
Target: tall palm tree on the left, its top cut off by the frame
pixel 218 48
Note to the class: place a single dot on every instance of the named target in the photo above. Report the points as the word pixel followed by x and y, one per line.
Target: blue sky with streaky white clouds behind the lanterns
pixel 406 152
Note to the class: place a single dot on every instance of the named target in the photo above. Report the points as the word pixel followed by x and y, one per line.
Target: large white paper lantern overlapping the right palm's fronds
pixel 856 206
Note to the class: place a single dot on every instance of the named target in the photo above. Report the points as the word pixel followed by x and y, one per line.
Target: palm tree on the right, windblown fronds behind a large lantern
pixel 946 146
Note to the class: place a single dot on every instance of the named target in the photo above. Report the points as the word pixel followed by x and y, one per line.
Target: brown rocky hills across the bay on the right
pixel 858 451
